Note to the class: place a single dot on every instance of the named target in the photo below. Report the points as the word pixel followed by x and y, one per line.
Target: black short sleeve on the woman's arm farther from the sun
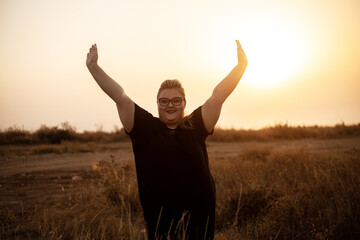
pixel 142 123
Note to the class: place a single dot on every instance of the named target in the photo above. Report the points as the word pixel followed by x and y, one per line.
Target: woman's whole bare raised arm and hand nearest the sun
pixel 212 107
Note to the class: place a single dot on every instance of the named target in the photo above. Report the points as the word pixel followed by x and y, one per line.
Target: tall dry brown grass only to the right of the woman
pixel 289 195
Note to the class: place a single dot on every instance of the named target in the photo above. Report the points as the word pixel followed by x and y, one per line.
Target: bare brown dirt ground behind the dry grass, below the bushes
pixel 28 180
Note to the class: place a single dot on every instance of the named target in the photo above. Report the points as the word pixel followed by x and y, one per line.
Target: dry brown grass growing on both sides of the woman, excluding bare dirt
pixel 263 193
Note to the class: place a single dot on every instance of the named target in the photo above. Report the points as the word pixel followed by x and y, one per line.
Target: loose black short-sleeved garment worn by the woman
pixel 173 175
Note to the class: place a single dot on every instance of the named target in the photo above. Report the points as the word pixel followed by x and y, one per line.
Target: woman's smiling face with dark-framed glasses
pixel 171 115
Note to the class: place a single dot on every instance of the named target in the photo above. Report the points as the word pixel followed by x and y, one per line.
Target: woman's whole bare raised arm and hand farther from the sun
pixel 124 104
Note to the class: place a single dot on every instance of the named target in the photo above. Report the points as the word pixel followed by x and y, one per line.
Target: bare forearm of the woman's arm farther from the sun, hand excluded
pixel 106 83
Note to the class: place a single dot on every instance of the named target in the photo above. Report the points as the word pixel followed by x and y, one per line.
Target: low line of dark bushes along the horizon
pixel 66 132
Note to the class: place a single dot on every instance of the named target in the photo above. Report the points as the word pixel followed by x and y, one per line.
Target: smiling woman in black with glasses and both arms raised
pixel 176 189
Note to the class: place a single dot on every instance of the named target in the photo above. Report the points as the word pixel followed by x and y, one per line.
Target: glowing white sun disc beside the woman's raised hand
pixel 275 56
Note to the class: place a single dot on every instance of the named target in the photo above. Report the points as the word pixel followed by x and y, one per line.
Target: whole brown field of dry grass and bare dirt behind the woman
pixel 276 189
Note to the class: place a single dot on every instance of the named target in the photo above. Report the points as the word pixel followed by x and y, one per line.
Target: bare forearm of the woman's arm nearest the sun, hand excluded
pixel 229 83
